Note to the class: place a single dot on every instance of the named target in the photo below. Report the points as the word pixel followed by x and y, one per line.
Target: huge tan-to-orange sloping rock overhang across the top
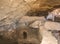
pixel 12 10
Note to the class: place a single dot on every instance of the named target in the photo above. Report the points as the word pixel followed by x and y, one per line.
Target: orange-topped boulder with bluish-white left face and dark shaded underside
pixel 54 15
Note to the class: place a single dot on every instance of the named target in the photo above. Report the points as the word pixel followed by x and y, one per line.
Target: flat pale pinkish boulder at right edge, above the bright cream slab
pixel 52 25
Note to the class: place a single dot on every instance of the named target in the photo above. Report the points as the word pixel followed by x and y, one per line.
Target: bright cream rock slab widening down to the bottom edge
pixel 48 38
